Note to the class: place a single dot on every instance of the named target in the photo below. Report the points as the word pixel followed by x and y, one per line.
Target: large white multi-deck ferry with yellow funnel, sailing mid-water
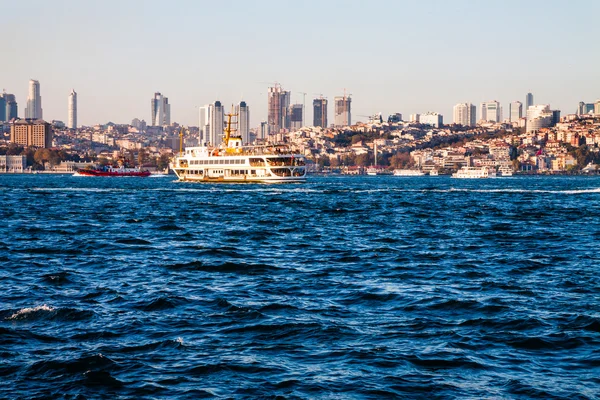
pixel 233 162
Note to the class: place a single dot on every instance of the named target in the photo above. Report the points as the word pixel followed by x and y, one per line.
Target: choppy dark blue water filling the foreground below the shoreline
pixel 343 287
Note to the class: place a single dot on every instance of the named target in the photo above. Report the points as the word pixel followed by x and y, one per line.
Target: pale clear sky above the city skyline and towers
pixel 407 56
